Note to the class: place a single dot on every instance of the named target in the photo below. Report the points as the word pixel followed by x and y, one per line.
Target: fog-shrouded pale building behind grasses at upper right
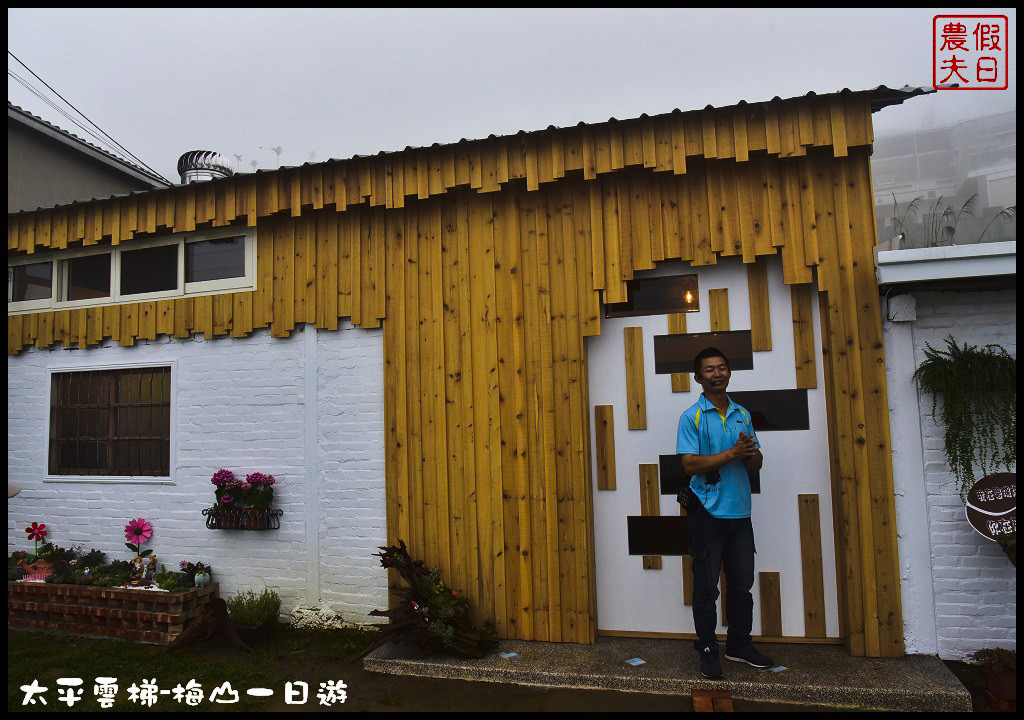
pixel 944 168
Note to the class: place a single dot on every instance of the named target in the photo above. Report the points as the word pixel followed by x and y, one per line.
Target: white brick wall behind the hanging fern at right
pixel 960 592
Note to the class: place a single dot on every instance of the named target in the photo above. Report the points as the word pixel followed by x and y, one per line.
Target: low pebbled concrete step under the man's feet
pixel 814 675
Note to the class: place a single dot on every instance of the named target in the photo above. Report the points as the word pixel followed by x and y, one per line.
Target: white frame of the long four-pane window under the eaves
pixel 60 275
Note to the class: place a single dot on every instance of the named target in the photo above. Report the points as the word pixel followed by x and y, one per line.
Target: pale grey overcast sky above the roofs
pixel 322 84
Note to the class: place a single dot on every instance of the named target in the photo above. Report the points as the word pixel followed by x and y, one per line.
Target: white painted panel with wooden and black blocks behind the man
pixel 631 599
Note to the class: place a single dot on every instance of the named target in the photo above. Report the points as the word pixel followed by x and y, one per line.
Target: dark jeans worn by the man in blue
pixel 716 542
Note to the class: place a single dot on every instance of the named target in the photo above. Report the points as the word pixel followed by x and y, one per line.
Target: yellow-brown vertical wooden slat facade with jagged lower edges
pixel 487 264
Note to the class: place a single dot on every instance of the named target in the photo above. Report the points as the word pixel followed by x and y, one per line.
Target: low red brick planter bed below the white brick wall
pixel 146 616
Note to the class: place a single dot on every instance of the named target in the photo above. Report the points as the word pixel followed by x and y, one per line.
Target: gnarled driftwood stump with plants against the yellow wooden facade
pixel 430 613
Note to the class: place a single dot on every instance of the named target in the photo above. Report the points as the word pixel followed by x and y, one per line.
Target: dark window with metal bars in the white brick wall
pixel 111 422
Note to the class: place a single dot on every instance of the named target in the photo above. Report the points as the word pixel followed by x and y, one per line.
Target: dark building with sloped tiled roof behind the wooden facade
pixel 48 166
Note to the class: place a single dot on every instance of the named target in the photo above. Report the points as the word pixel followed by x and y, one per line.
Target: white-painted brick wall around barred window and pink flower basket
pixel 239 404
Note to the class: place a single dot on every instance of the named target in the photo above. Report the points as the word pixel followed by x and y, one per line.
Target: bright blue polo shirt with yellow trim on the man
pixel 703 431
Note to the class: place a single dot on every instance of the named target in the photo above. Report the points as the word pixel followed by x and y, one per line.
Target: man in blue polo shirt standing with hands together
pixel 718 445
